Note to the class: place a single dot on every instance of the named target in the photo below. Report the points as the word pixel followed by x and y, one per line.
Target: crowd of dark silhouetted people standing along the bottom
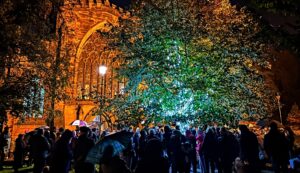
pixel 159 150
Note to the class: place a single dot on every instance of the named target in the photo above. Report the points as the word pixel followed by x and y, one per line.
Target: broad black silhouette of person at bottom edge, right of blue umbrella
pixel 154 161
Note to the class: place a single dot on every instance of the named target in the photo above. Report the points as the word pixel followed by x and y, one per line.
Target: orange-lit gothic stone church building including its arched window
pixel 87 52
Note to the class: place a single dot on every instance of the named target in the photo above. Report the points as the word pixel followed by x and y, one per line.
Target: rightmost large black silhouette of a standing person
pixel 276 146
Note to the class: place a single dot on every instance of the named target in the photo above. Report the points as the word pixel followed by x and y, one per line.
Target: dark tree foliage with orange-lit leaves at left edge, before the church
pixel 28 44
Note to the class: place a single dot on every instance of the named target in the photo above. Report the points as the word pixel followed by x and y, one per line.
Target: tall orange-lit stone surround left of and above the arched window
pixel 82 20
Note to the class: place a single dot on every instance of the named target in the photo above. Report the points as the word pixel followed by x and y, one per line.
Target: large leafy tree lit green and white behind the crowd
pixel 191 61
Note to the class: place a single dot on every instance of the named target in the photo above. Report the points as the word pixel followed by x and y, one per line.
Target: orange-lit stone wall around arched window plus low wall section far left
pixel 81 20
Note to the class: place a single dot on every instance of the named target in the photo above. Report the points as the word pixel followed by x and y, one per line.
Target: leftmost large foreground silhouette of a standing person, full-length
pixel 39 148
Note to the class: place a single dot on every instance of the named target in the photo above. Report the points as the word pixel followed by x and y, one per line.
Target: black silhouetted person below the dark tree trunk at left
pixel 62 154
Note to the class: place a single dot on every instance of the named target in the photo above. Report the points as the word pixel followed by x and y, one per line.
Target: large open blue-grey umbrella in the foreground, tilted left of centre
pixel 119 141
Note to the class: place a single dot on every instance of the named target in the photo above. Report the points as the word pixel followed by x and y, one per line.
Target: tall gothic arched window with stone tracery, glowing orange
pixel 90 84
